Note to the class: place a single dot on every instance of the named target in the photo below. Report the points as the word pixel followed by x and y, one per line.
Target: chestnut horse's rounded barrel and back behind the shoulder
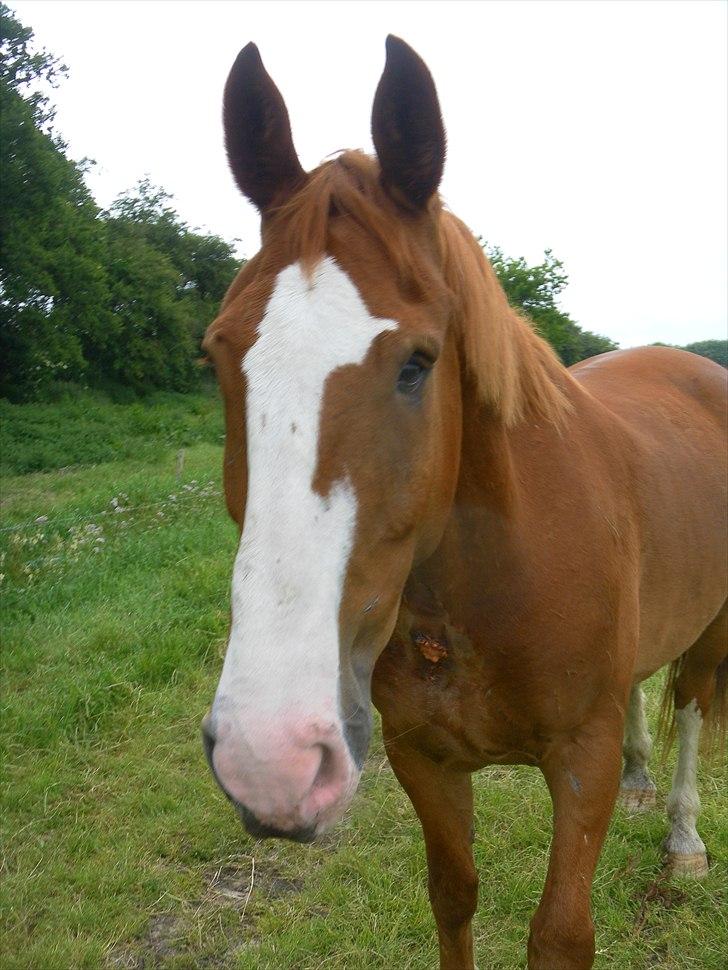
pixel 673 410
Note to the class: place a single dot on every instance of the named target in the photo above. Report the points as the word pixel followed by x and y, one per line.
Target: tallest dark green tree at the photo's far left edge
pixel 53 293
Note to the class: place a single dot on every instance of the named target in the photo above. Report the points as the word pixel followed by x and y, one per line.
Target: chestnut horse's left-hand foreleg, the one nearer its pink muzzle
pixel 443 800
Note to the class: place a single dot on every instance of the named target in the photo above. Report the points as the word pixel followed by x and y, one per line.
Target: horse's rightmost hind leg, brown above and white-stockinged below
pixel 694 691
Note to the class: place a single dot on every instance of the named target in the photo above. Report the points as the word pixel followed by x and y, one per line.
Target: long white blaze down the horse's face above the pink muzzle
pixel 283 652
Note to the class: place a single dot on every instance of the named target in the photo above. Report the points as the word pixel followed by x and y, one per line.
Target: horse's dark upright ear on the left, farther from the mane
pixel 258 133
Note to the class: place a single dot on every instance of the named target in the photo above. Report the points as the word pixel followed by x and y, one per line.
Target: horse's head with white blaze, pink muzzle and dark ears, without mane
pixel 342 440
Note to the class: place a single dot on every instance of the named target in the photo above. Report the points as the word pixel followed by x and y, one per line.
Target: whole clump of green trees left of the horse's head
pixel 121 296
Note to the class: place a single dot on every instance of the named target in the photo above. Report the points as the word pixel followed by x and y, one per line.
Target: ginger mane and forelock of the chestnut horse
pixel 515 370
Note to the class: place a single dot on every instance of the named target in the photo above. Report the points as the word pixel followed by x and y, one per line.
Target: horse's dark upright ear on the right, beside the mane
pixel 407 127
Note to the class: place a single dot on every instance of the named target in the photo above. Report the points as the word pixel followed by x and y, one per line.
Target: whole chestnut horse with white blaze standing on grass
pixel 436 516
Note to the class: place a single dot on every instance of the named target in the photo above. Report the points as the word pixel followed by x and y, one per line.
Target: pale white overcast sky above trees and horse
pixel 598 129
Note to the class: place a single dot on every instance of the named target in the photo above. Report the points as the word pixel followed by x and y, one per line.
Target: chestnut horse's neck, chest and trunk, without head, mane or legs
pixel 587 562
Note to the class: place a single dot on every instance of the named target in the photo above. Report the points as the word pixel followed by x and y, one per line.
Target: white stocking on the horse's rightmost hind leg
pixel 683 802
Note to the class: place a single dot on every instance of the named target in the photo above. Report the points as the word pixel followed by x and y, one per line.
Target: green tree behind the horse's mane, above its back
pixel 534 290
